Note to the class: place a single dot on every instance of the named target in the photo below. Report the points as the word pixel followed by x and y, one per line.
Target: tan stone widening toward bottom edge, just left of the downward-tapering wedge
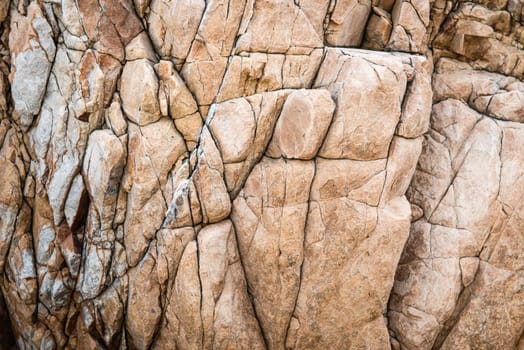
pixel 227 314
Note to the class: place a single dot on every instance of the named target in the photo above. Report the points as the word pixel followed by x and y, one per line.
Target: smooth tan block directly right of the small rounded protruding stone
pixel 362 130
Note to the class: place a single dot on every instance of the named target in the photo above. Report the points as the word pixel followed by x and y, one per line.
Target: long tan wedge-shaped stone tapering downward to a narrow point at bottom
pixel 270 215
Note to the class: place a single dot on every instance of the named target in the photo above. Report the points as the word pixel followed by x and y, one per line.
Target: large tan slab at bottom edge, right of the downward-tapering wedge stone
pixel 337 263
